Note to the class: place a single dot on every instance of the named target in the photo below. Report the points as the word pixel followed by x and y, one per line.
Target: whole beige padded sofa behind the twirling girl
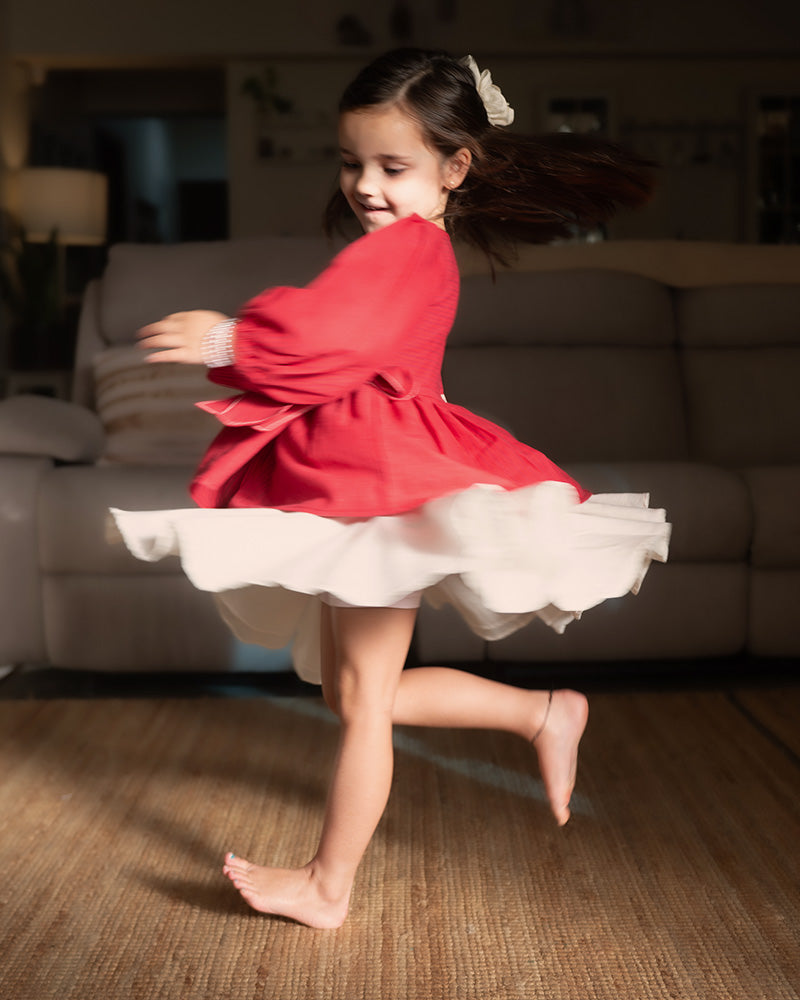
pixel 666 367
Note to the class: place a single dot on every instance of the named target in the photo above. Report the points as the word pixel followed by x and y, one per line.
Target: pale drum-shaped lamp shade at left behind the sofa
pixel 73 202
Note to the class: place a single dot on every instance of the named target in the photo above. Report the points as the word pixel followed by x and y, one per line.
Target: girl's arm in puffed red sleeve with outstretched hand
pixel 306 345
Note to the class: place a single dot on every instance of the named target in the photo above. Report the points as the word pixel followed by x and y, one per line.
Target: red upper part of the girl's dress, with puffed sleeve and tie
pixel 340 412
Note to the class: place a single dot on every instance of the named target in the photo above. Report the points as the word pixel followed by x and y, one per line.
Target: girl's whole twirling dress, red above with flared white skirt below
pixel 342 473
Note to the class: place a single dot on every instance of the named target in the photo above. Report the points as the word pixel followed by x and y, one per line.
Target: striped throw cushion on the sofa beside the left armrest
pixel 148 410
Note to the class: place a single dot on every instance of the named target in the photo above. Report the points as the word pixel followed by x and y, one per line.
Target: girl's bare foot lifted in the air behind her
pixel 556 743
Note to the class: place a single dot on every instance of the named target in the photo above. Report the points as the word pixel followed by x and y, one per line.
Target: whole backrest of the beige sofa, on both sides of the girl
pixel 586 363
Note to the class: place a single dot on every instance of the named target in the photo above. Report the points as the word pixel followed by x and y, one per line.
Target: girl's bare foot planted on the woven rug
pixel 287 892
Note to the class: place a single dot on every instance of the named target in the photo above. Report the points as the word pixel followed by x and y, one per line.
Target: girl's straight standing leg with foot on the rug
pixel 366 650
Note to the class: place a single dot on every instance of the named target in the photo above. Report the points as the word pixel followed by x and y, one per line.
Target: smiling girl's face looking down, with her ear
pixel 388 173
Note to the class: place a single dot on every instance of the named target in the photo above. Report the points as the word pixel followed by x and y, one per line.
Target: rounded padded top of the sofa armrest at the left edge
pixel 38 425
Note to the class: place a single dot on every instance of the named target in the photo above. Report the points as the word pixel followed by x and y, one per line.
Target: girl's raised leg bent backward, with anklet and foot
pixel 438 696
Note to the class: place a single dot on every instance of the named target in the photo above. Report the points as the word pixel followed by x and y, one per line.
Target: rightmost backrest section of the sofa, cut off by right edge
pixel 740 350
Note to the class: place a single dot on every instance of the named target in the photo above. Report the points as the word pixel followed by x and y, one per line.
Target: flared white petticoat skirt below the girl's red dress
pixel 502 558
